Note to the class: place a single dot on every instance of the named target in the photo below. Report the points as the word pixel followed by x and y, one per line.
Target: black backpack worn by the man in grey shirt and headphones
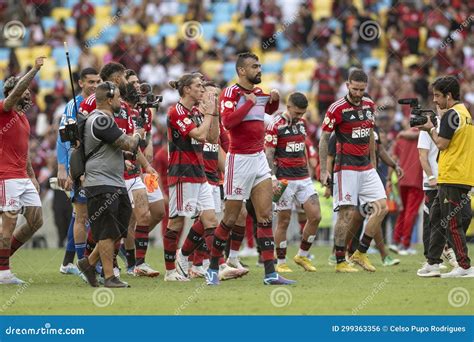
pixel 77 164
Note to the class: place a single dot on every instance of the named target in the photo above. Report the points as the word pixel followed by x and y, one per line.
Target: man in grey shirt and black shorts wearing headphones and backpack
pixel 108 204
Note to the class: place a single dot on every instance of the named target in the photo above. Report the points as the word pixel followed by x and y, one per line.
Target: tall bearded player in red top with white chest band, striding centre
pixel 247 175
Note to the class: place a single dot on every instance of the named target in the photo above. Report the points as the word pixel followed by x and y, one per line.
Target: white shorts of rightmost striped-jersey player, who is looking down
pixel 357 188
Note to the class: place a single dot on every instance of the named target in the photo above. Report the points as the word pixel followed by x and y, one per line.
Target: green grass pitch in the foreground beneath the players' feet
pixel 389 291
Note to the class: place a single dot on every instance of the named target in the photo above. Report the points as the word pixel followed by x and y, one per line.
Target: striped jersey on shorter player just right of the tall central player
pixel 289 141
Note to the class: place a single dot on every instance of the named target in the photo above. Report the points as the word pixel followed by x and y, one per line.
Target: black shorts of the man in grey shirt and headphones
pixel 109 215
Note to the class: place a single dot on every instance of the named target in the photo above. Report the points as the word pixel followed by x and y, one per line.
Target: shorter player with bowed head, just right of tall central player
pixel 285 149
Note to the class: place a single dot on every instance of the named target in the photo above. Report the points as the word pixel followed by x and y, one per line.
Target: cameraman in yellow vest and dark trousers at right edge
pixel 451 210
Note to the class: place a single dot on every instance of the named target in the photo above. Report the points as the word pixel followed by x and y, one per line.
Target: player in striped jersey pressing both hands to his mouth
pixel 190 193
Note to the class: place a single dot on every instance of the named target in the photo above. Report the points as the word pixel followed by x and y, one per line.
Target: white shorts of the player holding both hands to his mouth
pixel 189 199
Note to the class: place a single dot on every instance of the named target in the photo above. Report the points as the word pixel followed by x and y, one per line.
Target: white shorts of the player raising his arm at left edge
pixel 18 193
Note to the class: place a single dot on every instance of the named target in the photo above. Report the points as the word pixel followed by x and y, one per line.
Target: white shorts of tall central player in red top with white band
pixel 243 172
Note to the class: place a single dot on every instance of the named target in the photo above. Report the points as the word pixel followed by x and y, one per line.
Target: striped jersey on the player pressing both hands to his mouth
pixel 186 162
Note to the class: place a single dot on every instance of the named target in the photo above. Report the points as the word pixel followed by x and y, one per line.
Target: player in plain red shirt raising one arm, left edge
pixel 18 185
